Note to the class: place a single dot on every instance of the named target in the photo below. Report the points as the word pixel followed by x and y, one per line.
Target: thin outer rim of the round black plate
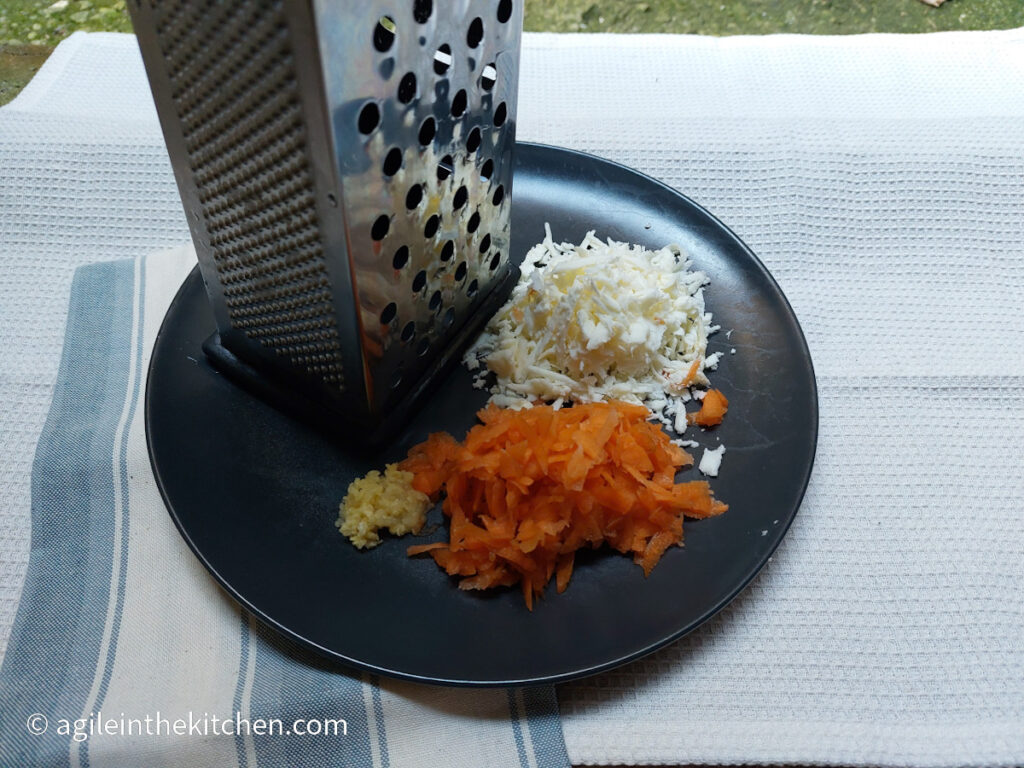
pixel 743 584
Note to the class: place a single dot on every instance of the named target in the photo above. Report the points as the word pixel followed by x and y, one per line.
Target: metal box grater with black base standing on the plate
pixel 347 174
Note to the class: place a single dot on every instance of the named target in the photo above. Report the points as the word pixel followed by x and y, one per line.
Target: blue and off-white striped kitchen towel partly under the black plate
pixel 125 652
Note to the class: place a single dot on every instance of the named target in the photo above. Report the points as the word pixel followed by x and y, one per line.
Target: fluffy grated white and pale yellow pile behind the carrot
pixel 601 321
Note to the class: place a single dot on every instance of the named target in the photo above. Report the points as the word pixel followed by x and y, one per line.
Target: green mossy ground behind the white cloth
pixel 30 29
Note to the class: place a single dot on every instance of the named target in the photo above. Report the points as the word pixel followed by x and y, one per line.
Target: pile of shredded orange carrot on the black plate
pixel 528 489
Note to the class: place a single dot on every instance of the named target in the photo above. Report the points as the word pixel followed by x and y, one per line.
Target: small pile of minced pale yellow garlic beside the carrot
pixel 376 502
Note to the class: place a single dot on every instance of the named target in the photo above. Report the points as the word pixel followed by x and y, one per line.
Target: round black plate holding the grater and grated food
pixel 257 495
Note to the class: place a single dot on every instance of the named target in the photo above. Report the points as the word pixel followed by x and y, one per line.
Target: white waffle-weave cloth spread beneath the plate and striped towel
pixel 881 179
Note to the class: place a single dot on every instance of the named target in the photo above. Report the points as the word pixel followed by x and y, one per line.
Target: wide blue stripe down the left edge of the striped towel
pixel 56 642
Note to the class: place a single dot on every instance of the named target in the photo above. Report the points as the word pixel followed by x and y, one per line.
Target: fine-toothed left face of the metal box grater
pixel 233 67
